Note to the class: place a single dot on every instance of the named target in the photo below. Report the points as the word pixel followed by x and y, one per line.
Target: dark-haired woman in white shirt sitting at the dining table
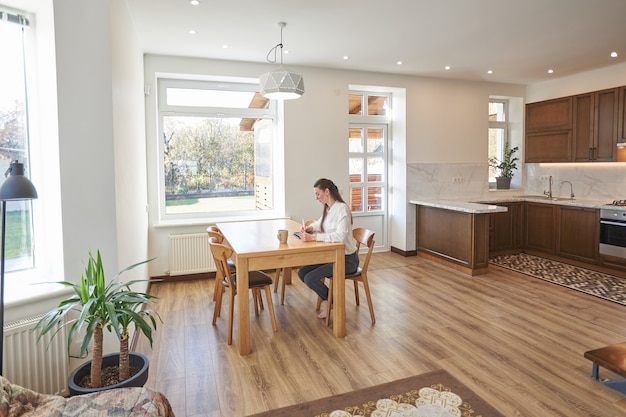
pixel 335 225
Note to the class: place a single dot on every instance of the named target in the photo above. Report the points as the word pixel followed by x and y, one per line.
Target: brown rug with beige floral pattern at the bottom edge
pixel 432 394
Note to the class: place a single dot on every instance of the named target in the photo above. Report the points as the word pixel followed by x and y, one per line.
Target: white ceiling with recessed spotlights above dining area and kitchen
pixel 519 40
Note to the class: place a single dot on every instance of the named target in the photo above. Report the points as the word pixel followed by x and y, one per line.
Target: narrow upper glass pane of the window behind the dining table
pixel 197 97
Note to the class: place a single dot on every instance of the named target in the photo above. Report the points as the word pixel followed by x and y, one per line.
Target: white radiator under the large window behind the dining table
pixel 190 254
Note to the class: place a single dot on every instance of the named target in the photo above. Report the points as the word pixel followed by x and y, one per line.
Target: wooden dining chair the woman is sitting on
pixel 363 237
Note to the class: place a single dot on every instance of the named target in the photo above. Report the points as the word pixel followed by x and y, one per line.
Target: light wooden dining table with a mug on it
pixel 256 247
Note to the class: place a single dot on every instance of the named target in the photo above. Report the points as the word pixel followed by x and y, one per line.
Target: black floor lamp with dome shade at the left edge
pixel 15 187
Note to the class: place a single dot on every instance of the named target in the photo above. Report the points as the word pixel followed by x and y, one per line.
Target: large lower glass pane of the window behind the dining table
pixel 215 165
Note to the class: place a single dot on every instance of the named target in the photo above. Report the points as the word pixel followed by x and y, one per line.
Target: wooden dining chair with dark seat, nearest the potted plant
pixel 257 281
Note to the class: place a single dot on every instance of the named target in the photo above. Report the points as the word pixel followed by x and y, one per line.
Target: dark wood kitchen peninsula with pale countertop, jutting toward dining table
pixel 454 233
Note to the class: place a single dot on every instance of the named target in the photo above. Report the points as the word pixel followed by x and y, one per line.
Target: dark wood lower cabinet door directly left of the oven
pixel 578 233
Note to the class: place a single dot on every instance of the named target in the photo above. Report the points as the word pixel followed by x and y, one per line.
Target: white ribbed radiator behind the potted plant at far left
pixel 41 366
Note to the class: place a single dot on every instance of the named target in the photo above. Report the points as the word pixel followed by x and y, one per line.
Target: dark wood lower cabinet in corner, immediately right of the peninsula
pixel 505 229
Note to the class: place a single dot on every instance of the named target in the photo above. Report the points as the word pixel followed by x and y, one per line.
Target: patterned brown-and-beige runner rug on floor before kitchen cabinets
pixel 601 285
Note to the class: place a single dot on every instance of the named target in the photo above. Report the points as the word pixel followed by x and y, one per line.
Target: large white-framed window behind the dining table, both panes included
pixel 218 149
